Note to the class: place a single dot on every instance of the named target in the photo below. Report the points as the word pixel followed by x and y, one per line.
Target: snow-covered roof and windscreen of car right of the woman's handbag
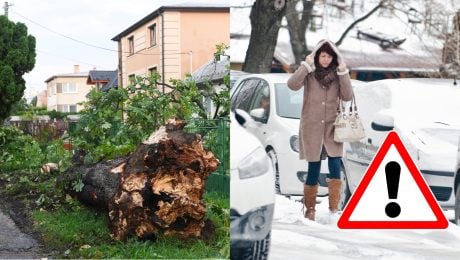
pixel 416 101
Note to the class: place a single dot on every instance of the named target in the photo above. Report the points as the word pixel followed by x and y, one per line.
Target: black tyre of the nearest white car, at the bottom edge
pixel 256 250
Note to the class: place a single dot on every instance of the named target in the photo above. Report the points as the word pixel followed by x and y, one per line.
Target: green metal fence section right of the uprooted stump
pixel 215 135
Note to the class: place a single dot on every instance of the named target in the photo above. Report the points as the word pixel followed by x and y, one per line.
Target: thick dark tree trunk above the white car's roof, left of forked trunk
pixel 265 18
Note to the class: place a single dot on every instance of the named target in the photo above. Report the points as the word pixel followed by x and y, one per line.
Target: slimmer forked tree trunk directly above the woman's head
pixel 298 28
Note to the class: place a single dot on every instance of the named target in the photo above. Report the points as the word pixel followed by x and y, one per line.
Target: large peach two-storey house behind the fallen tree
pixel 173 40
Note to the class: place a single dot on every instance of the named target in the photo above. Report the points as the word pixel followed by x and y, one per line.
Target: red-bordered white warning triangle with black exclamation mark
pixel 392 194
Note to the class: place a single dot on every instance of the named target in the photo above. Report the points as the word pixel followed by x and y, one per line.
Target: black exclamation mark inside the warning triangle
pixel 392 172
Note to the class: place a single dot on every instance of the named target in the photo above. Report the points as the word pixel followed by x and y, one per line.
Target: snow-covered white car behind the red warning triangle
pixel 424 112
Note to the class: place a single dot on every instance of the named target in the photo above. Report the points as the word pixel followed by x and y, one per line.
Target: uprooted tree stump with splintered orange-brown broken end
pixel 157 189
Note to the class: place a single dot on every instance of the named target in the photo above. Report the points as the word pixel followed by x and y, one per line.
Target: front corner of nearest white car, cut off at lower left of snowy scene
pixel 252 197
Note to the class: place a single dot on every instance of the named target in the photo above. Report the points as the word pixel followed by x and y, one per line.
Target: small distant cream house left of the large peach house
pixel 65 91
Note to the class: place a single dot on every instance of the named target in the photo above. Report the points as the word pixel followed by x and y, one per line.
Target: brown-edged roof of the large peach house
pixel 216 6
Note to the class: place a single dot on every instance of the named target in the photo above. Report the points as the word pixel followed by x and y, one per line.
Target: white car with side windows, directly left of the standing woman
pixel 276 110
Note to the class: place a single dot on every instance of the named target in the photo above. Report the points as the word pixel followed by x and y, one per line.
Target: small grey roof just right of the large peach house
pixel 212 71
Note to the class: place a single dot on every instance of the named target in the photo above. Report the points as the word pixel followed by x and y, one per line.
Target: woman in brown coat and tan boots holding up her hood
pixel 325 79
